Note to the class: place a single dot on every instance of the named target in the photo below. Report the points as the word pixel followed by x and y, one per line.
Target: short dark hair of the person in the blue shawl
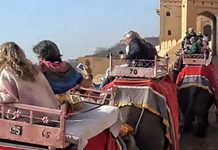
pixel 47 49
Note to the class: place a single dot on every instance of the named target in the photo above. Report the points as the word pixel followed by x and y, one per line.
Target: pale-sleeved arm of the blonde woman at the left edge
pixel 8 88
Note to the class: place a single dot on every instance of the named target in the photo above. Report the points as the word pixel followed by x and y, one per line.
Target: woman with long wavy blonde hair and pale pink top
pixel 21 81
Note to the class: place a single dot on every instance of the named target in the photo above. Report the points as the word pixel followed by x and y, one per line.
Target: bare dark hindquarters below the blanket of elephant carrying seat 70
pixel 149 133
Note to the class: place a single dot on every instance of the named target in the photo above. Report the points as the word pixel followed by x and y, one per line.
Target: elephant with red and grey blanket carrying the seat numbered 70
pixel 149 111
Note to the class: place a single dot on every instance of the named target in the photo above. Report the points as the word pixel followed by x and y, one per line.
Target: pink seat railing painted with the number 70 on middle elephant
pixel 140 68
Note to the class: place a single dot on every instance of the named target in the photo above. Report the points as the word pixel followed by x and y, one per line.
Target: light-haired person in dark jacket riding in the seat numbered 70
pixel 136 49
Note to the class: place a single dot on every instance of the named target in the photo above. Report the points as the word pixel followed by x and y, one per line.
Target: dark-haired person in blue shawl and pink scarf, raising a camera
pixel 60 74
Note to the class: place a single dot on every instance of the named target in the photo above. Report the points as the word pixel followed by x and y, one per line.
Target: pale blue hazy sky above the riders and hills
pixel 77 26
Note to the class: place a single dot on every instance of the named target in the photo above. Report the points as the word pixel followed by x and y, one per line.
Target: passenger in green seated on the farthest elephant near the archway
pixel 195 48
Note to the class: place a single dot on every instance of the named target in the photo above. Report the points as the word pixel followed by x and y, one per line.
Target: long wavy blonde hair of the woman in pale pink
pixel 13 58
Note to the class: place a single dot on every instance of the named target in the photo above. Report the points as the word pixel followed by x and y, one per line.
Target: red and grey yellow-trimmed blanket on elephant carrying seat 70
pixel 158 97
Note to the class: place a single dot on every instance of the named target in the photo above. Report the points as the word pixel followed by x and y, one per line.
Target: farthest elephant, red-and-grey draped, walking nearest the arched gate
pixel 196 93
